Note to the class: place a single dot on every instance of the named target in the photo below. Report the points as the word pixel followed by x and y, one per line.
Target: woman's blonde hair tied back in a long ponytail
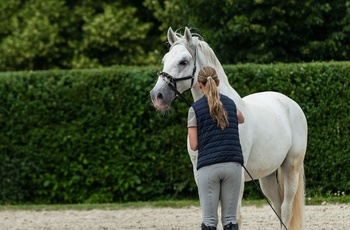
pixel 208 77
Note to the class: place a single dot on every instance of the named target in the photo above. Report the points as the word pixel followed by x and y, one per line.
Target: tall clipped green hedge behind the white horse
pixel 93 136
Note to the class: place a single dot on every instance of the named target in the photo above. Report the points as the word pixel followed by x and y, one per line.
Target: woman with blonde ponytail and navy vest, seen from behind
pixel 213 131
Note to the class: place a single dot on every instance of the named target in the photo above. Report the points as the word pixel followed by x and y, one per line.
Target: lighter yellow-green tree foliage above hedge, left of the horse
pixel 40 34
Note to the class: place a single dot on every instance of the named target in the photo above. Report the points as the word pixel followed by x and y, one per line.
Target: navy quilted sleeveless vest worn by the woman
pixel 214 144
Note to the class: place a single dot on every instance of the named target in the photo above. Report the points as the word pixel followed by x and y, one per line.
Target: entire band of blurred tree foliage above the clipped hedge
pixel 37 34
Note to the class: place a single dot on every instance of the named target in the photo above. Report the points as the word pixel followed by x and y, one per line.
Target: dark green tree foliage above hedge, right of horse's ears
pixel 264 31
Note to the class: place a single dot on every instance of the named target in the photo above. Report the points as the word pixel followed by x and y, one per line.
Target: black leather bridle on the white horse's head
pixel 171 81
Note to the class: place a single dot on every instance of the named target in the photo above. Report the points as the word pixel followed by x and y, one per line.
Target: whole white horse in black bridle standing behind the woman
pixel 273 136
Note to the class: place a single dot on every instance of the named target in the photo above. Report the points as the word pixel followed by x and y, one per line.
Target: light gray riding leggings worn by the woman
pixel 219 181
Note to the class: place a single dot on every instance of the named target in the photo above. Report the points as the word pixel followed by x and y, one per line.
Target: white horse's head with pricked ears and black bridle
pixel 179 68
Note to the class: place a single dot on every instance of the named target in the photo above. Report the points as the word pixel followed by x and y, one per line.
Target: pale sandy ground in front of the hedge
pixel 323 217
